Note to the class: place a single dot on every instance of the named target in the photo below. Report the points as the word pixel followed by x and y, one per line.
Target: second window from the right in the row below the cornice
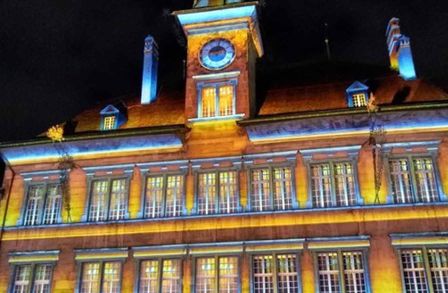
pixel 332 184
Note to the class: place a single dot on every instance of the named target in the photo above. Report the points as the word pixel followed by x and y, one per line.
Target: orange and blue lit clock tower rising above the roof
pixel 224 42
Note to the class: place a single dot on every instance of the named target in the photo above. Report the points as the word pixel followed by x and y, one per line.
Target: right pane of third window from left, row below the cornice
pixel 174 191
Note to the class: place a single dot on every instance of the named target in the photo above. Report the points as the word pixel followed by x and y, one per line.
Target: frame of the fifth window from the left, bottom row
pixel 274 255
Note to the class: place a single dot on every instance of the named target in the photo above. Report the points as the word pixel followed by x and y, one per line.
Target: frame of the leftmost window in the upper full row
pixel 23 210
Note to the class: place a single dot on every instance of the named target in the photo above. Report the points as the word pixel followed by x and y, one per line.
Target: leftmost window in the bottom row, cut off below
pixel 32 278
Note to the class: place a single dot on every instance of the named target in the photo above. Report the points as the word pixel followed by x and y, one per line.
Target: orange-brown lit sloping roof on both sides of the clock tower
pixel 295 89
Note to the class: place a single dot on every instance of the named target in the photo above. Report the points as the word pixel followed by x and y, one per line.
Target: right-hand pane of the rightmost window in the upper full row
pixel 425 180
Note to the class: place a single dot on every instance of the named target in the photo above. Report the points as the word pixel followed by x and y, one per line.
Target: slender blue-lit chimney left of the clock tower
pixel 150 65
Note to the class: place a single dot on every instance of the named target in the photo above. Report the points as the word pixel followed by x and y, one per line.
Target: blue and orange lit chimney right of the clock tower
pixel 400 53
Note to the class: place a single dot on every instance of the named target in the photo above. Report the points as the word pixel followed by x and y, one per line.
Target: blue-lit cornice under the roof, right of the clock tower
pixel 345 123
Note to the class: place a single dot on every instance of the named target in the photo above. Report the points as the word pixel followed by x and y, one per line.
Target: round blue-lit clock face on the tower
pixel 217 54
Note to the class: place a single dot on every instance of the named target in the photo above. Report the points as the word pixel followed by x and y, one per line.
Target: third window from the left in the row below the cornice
pixel 163 197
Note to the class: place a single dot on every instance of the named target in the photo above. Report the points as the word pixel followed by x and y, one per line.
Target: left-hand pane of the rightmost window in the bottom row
pixel 414 271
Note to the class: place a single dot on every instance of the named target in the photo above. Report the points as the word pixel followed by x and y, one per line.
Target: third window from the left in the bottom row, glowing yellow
pixel 160 276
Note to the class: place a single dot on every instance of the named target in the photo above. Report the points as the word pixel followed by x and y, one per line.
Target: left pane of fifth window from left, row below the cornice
pixel 260 197
